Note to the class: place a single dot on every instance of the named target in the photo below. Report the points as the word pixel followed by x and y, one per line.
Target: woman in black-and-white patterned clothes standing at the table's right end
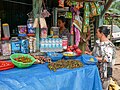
pixel 104 51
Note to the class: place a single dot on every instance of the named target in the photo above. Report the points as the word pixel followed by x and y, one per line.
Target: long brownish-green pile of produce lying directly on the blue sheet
pixel 70 64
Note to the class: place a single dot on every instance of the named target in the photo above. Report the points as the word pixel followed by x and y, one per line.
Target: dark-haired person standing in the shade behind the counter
pixel 63 30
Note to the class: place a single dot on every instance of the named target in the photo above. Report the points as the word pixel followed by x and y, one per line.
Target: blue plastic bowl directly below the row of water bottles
pixel 55 56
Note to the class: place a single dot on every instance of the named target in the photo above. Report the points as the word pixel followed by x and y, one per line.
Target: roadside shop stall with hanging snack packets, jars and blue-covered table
pixel 41 59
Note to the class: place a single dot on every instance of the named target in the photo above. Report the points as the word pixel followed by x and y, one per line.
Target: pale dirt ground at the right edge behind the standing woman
pixel 116 68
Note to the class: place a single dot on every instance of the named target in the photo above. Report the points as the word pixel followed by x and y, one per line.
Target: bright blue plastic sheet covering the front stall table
pixel 39 77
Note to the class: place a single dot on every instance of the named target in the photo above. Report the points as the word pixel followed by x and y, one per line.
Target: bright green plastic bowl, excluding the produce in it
pixel 21 64
